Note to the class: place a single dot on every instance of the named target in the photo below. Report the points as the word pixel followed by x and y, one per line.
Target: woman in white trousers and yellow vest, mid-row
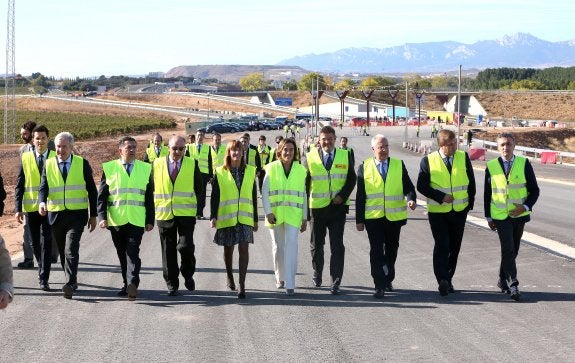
pixel 285 205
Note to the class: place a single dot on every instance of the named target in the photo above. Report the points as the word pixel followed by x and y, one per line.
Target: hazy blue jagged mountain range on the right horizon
pixel 520 50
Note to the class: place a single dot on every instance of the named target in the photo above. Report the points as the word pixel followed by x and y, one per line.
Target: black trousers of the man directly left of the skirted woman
pixel 171 245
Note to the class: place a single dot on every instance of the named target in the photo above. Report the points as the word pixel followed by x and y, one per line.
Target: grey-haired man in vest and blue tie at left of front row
pixel 67 192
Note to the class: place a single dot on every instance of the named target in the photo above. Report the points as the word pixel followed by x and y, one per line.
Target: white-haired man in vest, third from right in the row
pixel 381 208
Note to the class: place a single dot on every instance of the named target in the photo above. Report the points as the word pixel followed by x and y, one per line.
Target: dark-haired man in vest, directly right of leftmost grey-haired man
pixel 126 208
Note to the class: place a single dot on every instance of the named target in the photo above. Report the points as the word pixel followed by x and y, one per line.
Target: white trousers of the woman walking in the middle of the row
pixel 284 252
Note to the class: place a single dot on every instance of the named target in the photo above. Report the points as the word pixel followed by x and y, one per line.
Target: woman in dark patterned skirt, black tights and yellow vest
pixel 234 210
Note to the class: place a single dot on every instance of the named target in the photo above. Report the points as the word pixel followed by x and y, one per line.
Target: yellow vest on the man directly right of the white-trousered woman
pixel 325 185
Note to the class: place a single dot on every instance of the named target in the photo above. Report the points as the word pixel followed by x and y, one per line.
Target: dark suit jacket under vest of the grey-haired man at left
pixel 81 214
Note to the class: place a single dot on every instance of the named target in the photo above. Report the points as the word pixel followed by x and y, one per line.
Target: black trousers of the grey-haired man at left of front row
pixel 67 231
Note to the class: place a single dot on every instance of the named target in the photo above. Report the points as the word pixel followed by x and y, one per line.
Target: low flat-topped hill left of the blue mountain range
pixel 233 73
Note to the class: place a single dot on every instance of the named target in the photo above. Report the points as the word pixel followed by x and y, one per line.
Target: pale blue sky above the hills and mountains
pixel 69 38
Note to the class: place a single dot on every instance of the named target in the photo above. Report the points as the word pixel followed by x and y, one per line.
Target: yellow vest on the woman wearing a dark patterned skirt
pixel 236 206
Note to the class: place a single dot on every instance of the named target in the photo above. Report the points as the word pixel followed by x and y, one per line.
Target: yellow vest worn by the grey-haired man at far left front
pixel 71 194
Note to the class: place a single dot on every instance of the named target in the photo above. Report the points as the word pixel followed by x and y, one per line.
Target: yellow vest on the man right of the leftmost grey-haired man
pixel 127 192
